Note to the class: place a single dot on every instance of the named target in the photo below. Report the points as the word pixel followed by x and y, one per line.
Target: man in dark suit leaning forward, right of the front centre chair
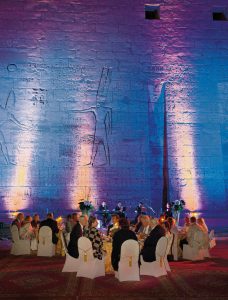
pixel 149 248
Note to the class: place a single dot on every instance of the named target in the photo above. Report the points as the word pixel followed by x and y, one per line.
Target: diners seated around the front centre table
pixel 118 232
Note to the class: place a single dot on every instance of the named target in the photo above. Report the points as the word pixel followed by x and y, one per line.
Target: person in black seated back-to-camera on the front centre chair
pixel 119 237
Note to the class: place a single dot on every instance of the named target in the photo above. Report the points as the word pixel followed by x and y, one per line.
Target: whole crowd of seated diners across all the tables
pixel 147 231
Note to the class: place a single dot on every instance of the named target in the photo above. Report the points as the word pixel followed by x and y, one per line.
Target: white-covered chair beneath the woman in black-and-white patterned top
pixel 88 266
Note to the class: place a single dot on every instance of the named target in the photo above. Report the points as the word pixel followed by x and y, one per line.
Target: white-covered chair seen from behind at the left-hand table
pixel 45 245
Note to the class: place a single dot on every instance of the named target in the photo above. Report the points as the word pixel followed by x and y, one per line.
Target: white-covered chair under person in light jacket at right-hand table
pixel 196 252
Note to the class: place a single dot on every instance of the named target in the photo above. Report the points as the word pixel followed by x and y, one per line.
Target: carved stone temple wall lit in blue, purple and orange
pixel 82 91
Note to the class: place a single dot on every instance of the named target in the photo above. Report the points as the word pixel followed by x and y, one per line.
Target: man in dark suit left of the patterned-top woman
pixel 75 234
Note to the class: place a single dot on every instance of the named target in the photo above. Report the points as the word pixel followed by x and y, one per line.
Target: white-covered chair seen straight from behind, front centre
pixel 128 268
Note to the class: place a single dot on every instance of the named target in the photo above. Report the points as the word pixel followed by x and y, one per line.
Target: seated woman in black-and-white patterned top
pixel 94 235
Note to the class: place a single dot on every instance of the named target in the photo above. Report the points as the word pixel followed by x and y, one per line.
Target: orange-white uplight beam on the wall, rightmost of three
pixel 182 142
